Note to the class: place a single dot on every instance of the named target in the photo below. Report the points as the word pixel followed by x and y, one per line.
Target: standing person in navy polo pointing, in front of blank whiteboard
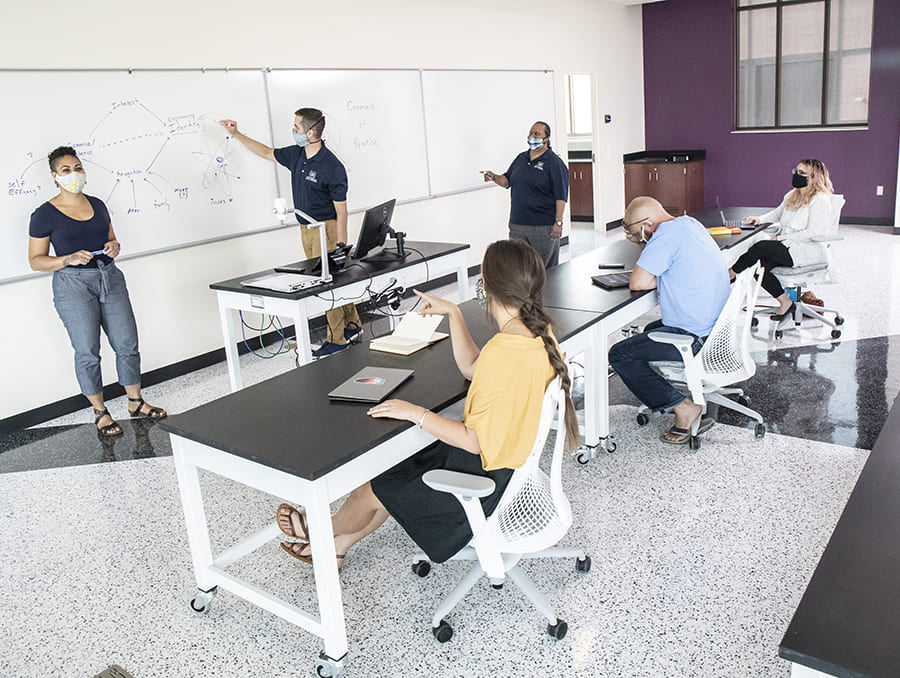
pixel 539 181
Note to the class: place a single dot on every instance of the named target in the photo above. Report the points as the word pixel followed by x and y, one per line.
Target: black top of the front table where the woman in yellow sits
pixel 288 423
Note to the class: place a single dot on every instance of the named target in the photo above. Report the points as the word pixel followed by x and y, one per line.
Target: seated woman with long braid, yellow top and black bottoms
pixel 502 411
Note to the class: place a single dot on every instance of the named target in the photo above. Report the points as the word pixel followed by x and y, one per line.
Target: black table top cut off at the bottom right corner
pixel 848 621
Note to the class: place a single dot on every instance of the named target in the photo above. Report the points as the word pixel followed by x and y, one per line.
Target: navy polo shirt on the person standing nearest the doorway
pixel 536 185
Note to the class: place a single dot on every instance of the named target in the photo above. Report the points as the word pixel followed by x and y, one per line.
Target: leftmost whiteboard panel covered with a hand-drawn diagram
pixel 151 147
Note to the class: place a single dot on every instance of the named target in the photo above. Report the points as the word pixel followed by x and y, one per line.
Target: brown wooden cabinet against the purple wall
pixel 677 185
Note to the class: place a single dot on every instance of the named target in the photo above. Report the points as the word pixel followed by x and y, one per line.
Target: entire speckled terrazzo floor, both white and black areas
pixel 700 558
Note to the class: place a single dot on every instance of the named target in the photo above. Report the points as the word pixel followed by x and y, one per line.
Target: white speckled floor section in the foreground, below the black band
pixel 697 568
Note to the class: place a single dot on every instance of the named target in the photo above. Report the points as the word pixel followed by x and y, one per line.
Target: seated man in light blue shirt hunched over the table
pixel 683 262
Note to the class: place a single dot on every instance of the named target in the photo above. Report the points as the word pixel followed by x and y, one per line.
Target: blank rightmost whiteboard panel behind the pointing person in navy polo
pixel 479 120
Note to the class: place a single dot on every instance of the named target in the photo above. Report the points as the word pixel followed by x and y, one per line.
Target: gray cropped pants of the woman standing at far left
pixel 86 300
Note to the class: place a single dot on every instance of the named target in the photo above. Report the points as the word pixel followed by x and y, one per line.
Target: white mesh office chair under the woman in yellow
pixel 532 516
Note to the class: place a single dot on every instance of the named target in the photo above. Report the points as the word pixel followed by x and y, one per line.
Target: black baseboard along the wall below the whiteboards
pixel 74 403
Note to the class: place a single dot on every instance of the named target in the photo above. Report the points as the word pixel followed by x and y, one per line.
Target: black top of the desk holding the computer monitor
pixel 354 272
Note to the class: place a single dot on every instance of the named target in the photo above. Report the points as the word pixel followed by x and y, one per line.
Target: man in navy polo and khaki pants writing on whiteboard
pixel 319 187
